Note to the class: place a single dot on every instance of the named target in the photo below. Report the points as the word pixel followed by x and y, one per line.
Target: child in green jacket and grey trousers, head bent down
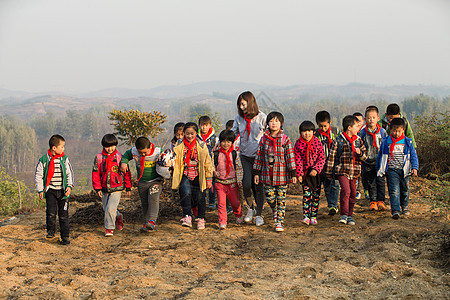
pixel 145 155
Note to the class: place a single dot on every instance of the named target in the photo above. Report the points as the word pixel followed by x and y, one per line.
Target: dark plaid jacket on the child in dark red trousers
pixel 343 165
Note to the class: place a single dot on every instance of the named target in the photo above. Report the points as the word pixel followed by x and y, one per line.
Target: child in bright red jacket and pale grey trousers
pixel 109 182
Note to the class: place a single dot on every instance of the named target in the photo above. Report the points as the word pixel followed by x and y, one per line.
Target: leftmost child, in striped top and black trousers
pixel 54 182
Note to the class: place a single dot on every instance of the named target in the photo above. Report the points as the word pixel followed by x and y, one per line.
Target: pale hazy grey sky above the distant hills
pixel 85 45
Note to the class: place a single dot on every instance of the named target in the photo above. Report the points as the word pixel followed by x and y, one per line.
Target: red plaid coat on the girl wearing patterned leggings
pixel 284 166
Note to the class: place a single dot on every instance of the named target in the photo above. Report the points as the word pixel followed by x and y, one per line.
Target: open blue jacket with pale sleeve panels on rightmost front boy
pixel 410 160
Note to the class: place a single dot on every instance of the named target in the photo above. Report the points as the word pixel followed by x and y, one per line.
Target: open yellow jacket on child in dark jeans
pixel 205 168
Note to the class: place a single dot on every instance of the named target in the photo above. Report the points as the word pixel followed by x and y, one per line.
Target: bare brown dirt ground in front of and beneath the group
pixel 379 258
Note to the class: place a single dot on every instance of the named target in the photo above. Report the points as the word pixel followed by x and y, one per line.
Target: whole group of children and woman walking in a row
pixel 252 156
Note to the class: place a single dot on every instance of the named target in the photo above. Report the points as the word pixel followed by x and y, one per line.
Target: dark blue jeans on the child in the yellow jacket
pixel 191 196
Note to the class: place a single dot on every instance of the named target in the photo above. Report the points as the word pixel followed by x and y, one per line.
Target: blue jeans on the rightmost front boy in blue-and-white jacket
pixel 398 187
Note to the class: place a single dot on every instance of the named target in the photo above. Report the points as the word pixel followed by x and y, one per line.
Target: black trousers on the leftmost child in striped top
pixel 57 205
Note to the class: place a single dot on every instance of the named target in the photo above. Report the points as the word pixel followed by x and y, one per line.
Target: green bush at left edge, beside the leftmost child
pixel 9 195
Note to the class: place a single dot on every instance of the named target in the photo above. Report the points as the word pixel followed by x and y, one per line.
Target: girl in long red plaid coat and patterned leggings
pixel 275 166
